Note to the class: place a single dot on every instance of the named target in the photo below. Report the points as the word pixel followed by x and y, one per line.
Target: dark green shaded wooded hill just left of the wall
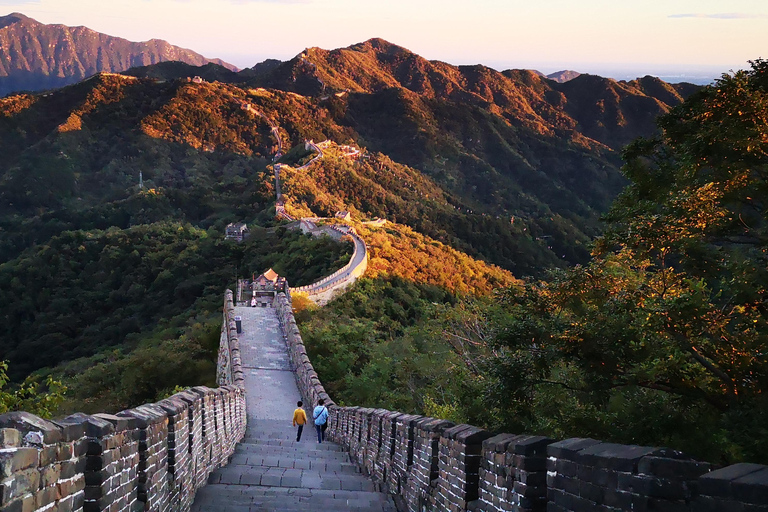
pixel 135 312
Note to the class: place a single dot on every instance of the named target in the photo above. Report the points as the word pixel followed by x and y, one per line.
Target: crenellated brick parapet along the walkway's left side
pixel 153 457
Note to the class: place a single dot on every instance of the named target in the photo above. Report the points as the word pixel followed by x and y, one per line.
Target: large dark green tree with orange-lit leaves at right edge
pixel 662 338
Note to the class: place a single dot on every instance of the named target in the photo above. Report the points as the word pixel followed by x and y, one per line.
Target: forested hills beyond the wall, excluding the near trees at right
pixel 123 283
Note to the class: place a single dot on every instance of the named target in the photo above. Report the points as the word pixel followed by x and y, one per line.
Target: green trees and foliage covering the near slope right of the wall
pixel 659 340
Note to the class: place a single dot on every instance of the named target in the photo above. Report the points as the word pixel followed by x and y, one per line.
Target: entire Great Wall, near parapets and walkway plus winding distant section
pixel 232 448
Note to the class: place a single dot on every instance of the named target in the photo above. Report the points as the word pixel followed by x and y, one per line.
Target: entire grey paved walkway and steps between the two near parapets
pixel 269 469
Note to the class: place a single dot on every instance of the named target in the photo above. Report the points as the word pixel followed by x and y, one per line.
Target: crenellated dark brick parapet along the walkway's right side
pixel 429 464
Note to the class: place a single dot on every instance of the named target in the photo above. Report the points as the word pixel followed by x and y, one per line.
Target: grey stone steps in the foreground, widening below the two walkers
pixel 271 471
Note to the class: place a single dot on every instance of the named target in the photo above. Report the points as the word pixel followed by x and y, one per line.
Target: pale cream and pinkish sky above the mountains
pixel 607 37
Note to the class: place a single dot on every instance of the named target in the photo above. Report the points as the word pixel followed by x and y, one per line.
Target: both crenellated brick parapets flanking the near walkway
pixel 154 457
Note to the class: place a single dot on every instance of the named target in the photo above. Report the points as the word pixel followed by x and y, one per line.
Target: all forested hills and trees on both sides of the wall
pixel 488 297
